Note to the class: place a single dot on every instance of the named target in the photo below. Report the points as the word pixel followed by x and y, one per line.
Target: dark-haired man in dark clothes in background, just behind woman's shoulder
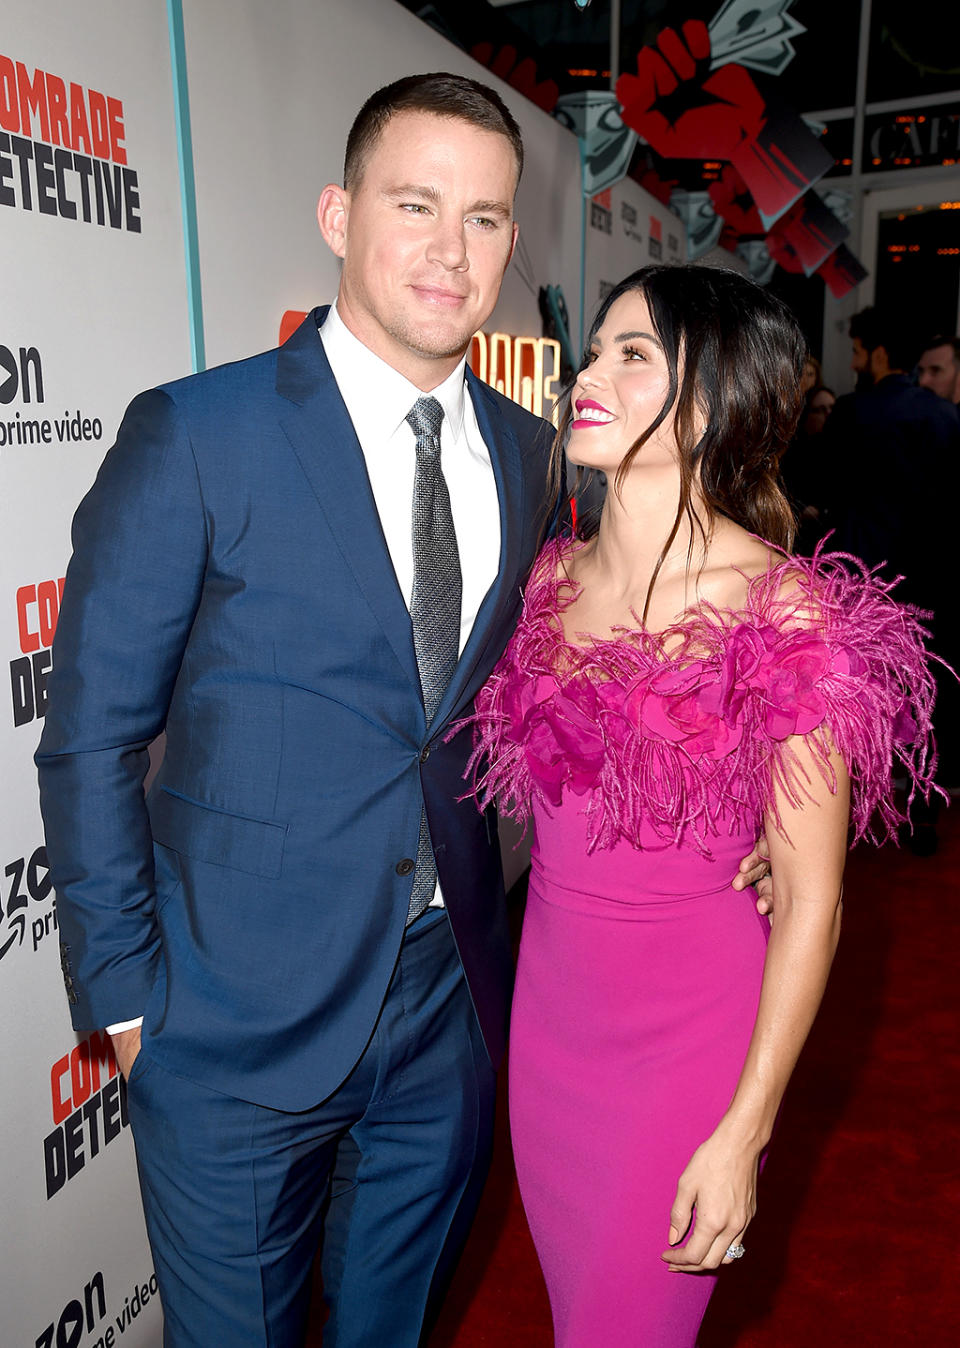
pixel 895 451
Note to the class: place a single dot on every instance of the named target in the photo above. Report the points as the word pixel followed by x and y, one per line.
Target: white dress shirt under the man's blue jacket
pixel 378 401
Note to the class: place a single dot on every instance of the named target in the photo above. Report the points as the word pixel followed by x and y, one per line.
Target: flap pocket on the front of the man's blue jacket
pixel 206 834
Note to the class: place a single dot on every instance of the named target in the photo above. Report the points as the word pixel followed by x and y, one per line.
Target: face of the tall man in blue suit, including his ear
pixel 425 235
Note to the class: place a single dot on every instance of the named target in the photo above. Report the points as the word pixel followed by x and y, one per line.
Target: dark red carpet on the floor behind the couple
pixel 854 1244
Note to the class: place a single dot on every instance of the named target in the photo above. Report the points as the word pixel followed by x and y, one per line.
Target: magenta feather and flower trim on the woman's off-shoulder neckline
pixel 688 730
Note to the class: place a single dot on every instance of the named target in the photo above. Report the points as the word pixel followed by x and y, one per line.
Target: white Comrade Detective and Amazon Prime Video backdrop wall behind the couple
pixel 94 308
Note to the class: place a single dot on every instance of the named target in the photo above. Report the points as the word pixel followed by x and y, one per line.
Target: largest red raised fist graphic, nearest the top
pixel 682 109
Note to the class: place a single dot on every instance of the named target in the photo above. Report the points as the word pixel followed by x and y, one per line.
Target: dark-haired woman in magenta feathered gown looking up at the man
pixel 676 683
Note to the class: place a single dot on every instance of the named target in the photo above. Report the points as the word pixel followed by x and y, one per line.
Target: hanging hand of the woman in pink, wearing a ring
pixel 721 1183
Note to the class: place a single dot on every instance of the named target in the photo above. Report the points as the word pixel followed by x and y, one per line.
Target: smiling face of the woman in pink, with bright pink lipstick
pixel 621 393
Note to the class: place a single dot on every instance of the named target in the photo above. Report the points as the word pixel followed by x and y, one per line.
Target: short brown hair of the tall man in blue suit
pixel 440 94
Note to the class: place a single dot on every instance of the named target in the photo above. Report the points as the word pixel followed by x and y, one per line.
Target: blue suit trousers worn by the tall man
pixel 385 1173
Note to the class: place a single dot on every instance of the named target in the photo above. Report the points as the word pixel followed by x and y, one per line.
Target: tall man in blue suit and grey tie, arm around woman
pixel 276 567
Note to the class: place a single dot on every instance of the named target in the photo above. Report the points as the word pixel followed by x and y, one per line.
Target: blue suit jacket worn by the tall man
pixel 231 584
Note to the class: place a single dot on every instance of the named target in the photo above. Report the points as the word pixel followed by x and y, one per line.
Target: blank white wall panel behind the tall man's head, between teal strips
pixel 273 94
